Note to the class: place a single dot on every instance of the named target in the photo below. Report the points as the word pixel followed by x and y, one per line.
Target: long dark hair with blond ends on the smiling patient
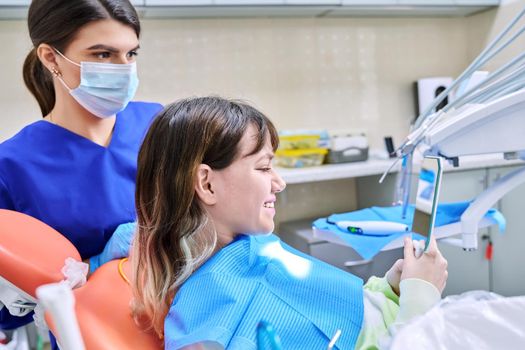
pixel 174 236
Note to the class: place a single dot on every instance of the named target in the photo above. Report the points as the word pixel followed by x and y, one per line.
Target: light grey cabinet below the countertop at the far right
pixel 471 270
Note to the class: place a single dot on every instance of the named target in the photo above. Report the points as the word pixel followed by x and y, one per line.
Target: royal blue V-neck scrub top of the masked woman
pixel 79 188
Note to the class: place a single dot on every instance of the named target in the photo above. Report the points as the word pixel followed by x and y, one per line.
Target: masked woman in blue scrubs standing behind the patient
pixel 75 168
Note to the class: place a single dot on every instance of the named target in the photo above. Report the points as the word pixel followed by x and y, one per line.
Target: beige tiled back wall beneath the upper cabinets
pixel 351 73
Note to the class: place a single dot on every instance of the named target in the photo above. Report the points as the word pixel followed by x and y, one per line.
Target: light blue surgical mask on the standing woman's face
pixel 105 88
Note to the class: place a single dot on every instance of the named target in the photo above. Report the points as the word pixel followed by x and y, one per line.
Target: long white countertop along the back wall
pixel 379 166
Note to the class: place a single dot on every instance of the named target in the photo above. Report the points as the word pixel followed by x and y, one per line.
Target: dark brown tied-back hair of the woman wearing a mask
pixel 55 22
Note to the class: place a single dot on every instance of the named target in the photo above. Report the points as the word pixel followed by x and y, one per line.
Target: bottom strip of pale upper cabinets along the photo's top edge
pixel 10 9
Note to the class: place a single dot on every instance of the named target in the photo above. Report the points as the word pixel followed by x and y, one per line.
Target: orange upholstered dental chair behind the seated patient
pixel 32 254
